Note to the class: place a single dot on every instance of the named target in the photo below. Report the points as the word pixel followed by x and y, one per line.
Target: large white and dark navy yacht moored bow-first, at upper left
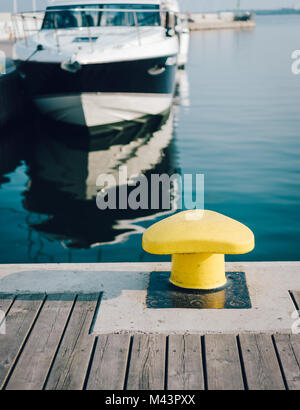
pixel 94 63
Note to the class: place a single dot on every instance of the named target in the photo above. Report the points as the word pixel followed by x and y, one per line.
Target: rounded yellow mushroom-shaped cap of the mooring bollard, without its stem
pixel 198 231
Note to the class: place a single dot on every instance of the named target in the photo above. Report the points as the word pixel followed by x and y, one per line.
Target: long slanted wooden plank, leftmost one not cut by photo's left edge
pixel 33 365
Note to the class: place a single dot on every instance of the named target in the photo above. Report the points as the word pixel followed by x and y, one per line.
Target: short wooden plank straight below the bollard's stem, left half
pixel 185 368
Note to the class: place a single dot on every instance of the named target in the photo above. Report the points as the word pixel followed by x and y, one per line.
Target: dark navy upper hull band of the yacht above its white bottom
pixel 118 77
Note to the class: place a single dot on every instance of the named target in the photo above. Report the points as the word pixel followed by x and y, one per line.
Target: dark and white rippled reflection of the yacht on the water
pixel 63 173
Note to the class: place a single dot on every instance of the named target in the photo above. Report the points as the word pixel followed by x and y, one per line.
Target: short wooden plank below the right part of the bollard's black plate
pixel 222 363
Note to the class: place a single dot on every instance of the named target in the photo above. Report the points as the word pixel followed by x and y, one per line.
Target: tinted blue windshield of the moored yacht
pixel 101 15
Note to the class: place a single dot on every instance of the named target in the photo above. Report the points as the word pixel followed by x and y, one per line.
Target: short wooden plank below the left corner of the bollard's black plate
pixel 147 363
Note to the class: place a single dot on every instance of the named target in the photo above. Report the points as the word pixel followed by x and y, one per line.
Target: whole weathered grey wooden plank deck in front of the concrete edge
pixel 47 343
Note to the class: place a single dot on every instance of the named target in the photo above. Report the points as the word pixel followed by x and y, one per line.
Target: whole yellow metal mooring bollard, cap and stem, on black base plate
pixel 198 241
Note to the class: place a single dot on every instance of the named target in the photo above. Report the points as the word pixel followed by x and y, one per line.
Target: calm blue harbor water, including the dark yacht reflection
pixel 237 121
